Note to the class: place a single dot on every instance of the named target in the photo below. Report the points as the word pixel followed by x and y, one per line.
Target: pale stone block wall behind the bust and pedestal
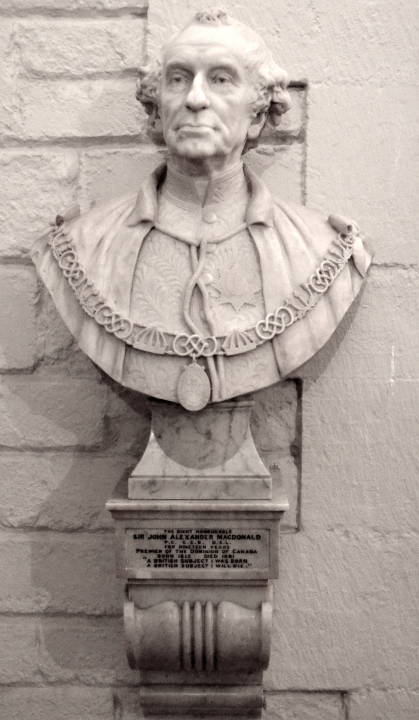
pixel 342 436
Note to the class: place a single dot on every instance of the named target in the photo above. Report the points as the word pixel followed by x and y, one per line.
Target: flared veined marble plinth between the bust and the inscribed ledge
pixel 208 455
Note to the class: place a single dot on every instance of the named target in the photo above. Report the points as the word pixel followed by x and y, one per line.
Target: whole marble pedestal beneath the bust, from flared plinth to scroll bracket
pixel 197 537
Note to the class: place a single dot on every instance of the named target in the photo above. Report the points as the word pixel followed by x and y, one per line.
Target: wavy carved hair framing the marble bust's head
pixel 270 80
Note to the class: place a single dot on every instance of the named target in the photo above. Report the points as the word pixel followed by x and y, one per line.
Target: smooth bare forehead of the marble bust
pixel 226 41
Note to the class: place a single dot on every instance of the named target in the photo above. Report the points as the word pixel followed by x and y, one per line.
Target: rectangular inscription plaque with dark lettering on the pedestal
pixel 212 548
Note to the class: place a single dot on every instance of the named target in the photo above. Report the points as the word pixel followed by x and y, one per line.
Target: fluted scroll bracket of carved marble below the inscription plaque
pixel 198 637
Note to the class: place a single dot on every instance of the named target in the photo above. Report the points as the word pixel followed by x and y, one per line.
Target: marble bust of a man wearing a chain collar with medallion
pixel 201 286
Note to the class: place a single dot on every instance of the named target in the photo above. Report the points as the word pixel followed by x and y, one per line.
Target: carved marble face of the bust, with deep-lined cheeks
pixel 206 95
